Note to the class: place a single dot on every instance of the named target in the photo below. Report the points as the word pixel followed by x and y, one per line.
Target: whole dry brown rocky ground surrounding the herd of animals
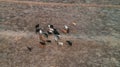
pixel 96 37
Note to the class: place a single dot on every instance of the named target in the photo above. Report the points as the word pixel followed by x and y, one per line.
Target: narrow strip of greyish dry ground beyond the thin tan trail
pixel 114 2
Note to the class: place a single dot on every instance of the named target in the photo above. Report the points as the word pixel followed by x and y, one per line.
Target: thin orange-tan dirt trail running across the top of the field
pixel 59 4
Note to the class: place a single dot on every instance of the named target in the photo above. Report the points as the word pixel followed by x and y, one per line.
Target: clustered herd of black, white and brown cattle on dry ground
pixel 51 31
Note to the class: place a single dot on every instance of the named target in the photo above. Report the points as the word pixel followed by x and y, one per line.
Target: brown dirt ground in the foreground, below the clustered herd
pixel 84 52
